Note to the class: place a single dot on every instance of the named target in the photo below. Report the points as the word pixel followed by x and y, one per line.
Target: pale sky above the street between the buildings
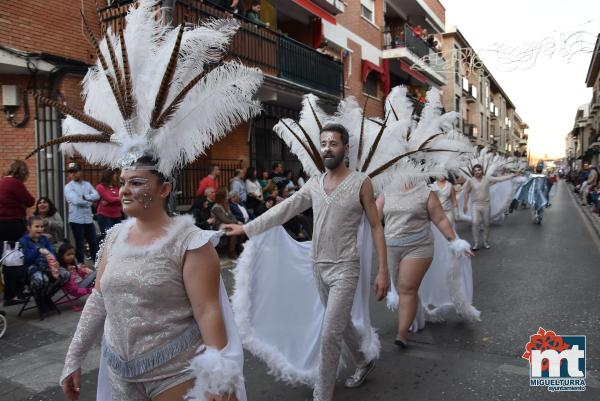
pixel 547 89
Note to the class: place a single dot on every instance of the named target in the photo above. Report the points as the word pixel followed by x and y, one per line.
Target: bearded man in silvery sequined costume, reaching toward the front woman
pixel 338 198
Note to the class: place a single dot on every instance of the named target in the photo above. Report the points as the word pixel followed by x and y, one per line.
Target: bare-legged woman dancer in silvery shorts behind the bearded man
pixel 410 209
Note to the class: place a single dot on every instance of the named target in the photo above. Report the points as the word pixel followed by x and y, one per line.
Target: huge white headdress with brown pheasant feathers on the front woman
pixel 158 92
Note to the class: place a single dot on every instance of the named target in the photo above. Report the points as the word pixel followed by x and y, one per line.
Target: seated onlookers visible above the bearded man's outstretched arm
pixel 249 195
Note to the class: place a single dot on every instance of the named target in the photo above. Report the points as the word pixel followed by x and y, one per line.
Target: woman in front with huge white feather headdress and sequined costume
pixel 156 99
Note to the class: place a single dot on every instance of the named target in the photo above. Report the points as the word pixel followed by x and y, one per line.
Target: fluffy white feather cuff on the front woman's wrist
pixel 215 374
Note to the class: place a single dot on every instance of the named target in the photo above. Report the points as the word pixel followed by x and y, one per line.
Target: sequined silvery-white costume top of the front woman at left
pixel 149 328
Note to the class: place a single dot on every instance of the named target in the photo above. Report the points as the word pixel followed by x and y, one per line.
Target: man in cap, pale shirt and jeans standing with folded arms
pixel 80 195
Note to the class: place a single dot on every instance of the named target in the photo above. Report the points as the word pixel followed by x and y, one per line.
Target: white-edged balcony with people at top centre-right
pixel 400 42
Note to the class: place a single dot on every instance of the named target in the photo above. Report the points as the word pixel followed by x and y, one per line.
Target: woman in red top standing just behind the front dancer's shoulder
pixel 108 212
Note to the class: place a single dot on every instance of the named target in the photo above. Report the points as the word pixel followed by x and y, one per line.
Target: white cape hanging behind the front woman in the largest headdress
pixel 233 351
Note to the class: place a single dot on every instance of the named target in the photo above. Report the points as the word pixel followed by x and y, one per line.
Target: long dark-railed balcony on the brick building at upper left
pixel 275 54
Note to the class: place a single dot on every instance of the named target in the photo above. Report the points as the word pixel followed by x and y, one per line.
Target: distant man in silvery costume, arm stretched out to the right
pixel 480 185
